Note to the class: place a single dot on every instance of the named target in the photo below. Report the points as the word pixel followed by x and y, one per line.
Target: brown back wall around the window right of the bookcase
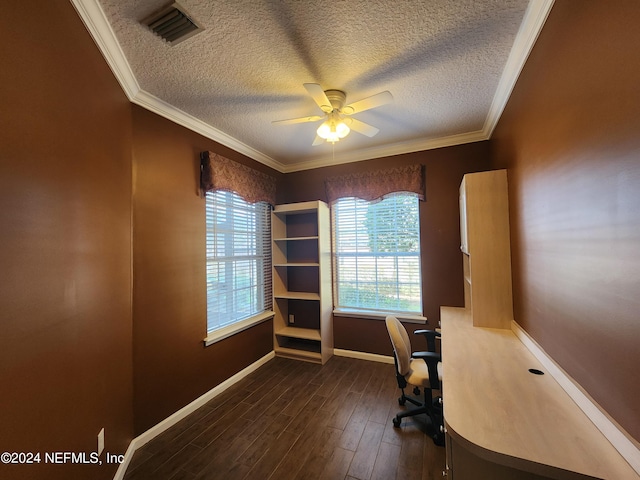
pixel 440 232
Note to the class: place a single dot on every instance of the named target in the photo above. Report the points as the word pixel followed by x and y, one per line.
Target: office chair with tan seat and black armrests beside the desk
pixel 421 369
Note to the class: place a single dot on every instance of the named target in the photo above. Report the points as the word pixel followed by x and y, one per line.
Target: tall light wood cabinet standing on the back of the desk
pixel 485 245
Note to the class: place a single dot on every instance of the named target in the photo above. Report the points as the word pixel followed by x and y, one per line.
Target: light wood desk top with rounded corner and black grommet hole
pixel 498 410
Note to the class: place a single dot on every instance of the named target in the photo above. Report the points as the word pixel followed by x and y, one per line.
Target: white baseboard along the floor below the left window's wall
pixel 168 422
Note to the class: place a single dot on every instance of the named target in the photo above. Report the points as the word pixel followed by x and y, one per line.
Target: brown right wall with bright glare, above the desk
pixel 569 137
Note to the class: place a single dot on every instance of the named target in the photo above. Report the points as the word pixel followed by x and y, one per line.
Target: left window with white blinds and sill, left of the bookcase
pixel 261 244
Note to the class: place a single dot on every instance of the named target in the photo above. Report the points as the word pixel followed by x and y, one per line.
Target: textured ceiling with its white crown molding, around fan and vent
pixel 446 63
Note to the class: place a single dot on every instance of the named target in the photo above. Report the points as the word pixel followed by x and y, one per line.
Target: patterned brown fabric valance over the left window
pixel 220 173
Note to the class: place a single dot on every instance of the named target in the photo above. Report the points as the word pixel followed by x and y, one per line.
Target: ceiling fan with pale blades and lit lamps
pixel 337 116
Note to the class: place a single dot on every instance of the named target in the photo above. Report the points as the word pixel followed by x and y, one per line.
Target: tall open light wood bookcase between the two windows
pixel 302 294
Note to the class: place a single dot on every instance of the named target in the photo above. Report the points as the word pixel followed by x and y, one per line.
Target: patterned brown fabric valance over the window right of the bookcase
pixel 377 183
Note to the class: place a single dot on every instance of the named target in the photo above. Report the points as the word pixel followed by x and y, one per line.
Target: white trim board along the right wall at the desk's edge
pixel 609 428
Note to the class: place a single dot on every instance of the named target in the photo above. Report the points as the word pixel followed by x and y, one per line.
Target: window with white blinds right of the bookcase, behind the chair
pixel 377 254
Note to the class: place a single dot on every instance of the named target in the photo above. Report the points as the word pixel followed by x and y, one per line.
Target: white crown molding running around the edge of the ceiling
pixel 96 22
